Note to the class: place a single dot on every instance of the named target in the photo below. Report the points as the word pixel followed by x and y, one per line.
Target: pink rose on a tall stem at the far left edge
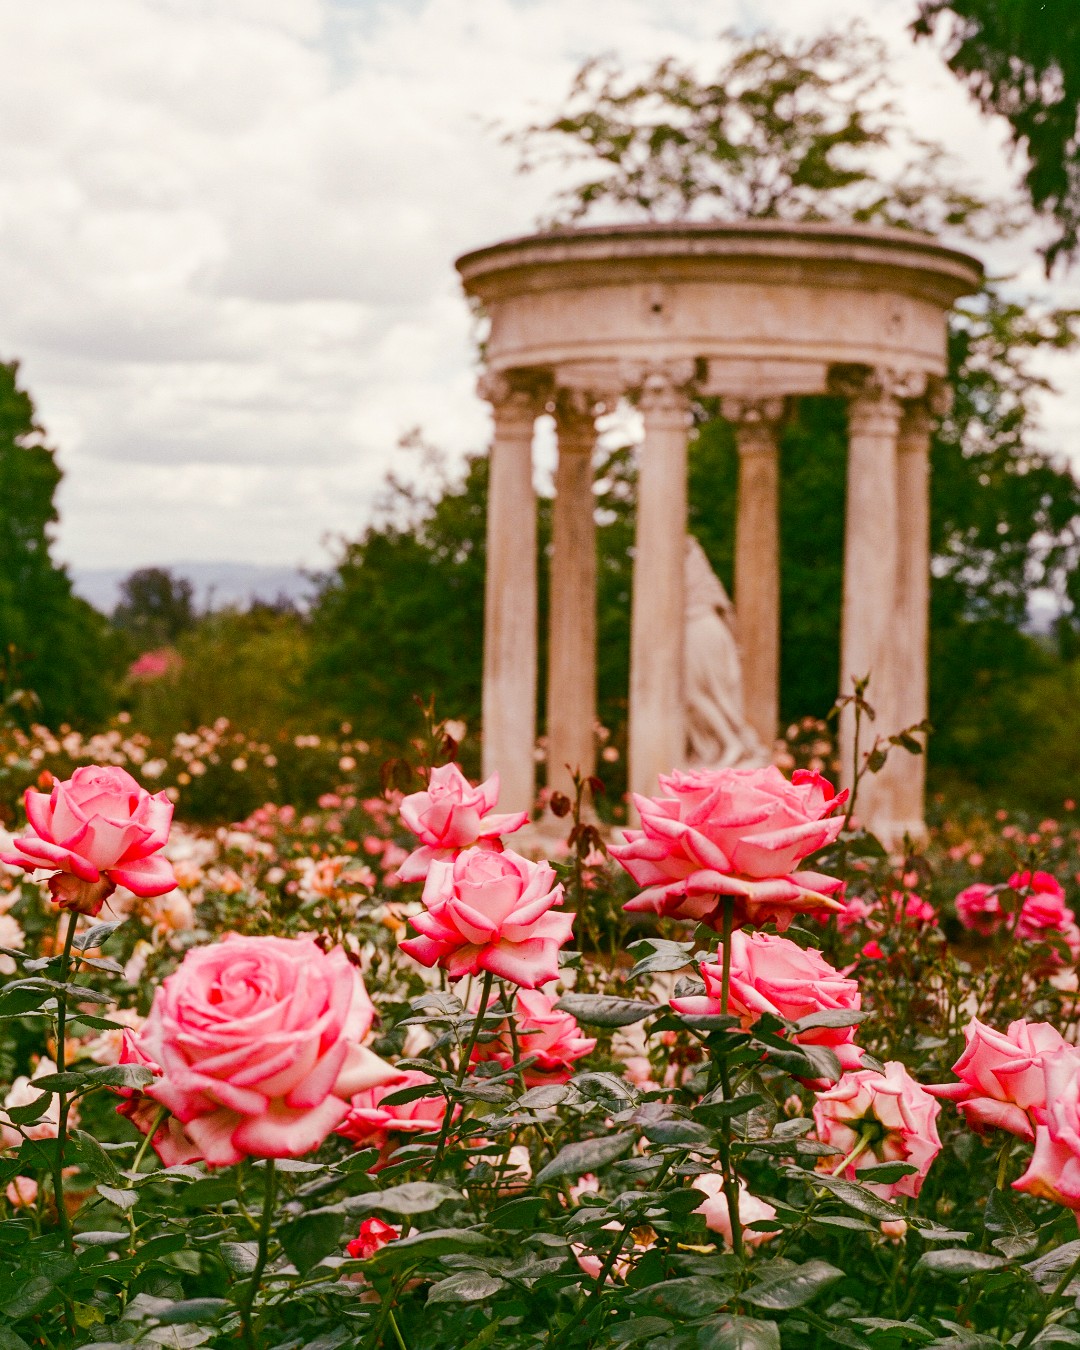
pixel 101 830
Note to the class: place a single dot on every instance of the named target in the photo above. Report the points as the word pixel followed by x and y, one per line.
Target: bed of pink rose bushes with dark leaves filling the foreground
pixel 503 1110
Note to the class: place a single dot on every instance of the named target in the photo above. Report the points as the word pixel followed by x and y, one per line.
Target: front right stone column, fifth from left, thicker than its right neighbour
pixel 871 554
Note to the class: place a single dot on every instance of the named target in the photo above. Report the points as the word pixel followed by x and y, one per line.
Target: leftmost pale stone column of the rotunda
pixel 510 610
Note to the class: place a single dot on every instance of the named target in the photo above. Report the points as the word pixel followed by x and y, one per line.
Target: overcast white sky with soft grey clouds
pixel 227 232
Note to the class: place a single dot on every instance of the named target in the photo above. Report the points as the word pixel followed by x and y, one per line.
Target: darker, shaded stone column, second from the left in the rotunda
pixel 572 711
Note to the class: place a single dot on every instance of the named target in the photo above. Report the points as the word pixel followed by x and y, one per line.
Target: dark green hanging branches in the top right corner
pixel 1021 60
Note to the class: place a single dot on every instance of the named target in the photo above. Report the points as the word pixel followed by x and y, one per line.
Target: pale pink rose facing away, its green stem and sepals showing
pixel 898 1116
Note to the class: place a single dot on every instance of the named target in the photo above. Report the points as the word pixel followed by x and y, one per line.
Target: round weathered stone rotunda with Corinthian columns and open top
pixel 757 314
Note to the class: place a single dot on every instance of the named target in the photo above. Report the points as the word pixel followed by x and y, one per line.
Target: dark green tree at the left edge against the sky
pixel 55 643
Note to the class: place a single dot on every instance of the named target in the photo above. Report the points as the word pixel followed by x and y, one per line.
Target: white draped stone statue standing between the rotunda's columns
pixel 718 732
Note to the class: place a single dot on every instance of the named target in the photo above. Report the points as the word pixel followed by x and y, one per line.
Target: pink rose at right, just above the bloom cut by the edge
pixel 1002 1085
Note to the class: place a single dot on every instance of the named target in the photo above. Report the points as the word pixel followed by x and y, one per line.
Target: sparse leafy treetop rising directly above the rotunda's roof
pixel 788 129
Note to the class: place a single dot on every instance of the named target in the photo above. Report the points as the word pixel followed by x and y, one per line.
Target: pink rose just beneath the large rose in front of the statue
pixel 774 975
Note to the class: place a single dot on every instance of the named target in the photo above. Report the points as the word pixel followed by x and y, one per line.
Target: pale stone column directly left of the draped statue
pixel 658 697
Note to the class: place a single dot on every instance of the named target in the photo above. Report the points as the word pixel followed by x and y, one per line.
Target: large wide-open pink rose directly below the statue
pixel 739 832
